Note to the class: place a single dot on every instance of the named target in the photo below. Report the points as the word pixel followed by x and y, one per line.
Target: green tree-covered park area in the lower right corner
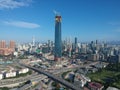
pixel 109 76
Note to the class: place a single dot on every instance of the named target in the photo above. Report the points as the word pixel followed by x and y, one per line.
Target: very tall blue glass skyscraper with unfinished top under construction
pixel 58 42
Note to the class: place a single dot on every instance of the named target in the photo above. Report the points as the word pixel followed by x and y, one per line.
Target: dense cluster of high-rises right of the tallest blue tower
pixel 92 51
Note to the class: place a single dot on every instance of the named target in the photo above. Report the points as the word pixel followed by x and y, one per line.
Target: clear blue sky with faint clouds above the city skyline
pixel 87 20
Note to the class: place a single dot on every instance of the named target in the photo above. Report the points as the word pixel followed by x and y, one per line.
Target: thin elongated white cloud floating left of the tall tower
pixel 22 24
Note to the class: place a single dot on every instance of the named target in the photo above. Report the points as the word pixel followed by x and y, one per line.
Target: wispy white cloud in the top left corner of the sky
pixel 11 4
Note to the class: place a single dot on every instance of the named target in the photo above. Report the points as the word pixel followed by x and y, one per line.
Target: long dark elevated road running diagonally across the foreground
pixel 53 77
